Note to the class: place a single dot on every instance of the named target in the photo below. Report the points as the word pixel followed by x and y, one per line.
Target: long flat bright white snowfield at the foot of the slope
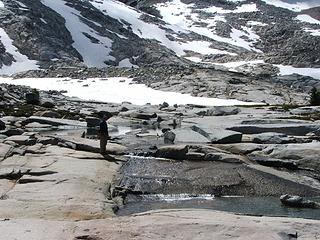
pixel 118 90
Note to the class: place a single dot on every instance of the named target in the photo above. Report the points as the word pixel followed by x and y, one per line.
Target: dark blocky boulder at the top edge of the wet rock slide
pixel 173 152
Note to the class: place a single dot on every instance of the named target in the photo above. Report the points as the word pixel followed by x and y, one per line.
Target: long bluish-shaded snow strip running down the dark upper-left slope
pixel 93 54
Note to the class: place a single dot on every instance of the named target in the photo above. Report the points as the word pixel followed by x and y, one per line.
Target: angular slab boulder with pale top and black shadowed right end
pixel 215 135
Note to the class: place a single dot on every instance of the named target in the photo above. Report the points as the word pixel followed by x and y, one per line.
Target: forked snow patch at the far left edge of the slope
pixel 22 62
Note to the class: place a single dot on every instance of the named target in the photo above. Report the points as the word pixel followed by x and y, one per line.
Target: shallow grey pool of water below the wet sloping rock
pixel 258 206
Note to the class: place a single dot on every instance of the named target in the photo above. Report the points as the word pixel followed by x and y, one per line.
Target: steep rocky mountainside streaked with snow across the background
pixel 40 33
